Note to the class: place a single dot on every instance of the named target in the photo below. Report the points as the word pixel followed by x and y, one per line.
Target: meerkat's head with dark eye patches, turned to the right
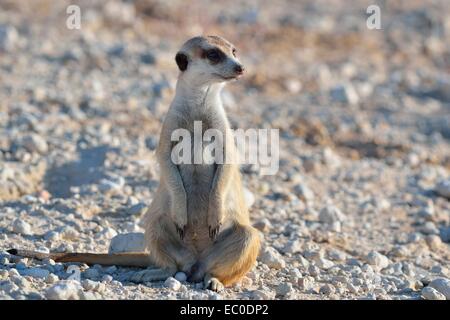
pixel 209 59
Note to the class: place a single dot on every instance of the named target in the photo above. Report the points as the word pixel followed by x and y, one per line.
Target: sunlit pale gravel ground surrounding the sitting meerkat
pixel 359 208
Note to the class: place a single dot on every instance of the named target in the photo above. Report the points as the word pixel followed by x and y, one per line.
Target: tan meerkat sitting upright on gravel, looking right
pixel 198 222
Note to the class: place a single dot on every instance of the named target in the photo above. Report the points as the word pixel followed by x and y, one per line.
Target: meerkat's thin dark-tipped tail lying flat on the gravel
pixel 125 259
